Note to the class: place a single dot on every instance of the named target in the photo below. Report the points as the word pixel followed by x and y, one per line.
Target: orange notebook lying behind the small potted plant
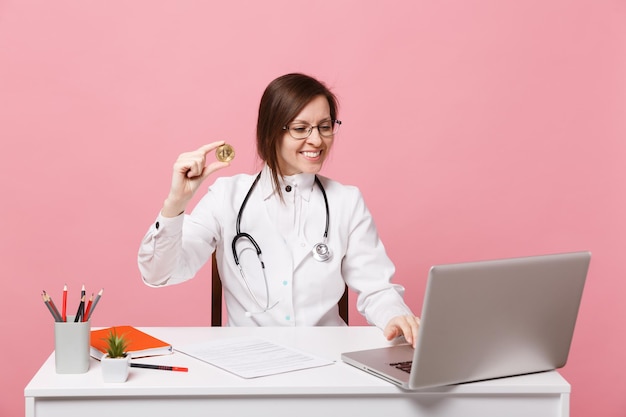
pixel 139 343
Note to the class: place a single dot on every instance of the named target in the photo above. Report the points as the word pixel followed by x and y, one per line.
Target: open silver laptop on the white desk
pixel 485 320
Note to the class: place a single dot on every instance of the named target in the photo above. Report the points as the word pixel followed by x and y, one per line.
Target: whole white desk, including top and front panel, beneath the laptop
pixel 335 390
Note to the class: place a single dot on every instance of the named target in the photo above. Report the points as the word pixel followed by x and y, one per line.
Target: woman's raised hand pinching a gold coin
pixel 190 170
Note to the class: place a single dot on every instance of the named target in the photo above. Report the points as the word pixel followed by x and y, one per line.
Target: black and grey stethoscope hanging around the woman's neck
pixel 321 251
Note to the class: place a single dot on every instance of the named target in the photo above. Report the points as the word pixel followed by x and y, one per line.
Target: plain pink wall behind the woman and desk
pixel 475 129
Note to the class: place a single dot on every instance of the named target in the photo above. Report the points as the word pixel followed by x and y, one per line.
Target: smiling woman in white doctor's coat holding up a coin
pixel 287 240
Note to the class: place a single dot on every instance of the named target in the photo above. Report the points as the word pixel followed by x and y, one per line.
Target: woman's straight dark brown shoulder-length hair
pixel 283 99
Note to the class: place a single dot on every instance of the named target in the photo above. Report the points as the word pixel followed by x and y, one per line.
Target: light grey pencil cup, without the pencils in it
pixel 71 346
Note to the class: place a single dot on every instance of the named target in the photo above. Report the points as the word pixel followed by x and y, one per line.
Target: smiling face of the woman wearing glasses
pixel 297 156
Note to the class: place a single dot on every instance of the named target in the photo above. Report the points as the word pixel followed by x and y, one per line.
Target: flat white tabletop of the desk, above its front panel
pixel 206 381
